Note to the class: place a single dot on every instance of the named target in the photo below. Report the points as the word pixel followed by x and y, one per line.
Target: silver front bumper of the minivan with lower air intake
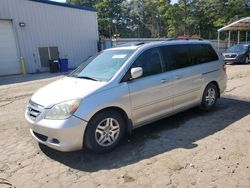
pixel 63 135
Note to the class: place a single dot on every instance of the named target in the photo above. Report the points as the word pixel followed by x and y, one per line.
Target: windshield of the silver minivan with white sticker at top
pixel 103 66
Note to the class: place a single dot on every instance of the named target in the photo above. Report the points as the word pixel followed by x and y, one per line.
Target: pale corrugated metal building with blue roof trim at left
pixel 39 30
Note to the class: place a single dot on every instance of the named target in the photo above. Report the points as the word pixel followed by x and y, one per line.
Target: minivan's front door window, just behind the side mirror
pixel 150 61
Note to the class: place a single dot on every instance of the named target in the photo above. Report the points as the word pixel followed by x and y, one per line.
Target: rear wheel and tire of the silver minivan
pixel 209 97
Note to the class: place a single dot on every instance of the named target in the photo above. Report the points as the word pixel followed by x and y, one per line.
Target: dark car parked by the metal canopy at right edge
pixel 239 53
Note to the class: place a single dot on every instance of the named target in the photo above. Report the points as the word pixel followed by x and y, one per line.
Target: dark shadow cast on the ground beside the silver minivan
pixel 179 131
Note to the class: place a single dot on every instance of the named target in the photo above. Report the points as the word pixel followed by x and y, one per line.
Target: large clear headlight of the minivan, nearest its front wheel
pixel 63 110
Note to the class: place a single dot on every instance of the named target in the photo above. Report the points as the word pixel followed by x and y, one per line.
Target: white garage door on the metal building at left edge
pixel 9 63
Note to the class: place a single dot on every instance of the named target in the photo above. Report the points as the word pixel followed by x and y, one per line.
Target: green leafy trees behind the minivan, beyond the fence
pixel 159 18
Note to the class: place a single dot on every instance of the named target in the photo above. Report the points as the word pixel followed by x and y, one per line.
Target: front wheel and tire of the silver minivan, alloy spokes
pixel 104 131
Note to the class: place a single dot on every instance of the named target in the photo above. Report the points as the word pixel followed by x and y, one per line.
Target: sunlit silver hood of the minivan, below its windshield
pixel 67 88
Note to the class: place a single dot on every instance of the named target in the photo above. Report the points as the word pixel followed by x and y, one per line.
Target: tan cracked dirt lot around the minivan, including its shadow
pixel 191 149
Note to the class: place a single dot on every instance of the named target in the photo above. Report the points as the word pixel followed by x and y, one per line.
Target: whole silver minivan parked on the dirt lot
pixel 123 88
